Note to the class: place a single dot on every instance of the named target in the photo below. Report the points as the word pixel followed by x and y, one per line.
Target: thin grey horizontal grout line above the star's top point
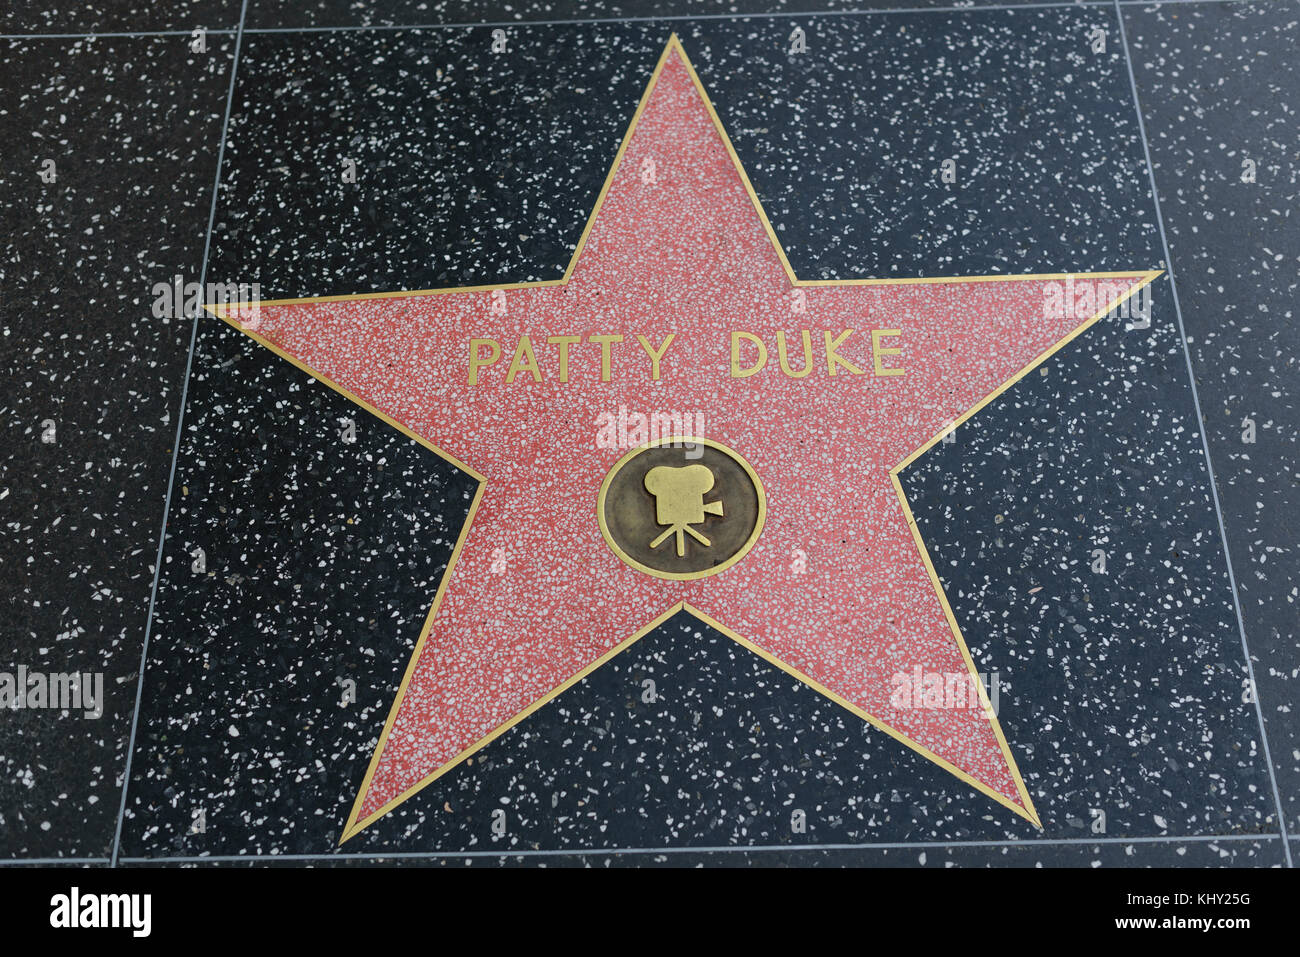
pixel 774 15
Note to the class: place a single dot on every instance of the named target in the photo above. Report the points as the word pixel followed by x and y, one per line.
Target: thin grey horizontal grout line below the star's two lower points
pixel 714 850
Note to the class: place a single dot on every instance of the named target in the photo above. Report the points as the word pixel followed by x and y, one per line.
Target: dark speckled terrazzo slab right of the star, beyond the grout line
pixel 1217 88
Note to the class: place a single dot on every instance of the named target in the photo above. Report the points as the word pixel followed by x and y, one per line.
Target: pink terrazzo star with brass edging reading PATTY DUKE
pixel 679 297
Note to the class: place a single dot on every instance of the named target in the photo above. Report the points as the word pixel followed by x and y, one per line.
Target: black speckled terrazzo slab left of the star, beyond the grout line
pixel 80 348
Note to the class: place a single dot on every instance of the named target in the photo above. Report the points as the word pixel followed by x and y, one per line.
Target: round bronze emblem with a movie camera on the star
pixel 682 508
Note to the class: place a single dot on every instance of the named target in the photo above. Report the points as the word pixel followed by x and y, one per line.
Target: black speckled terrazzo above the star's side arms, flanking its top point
pixel 488 172
